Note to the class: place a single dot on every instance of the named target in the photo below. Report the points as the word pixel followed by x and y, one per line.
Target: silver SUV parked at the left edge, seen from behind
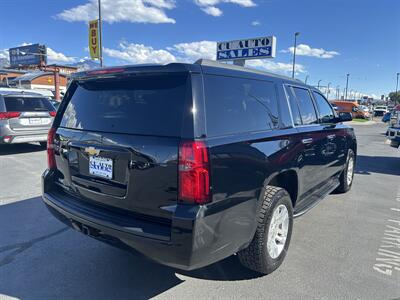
pixel 24 117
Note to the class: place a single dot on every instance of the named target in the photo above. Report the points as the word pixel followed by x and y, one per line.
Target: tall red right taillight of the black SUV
pixel 194 172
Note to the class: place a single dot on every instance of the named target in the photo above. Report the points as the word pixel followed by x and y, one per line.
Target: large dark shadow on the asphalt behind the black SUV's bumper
pixel 41 258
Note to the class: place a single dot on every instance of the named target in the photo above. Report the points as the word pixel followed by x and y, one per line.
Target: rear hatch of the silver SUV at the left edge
pixel 32 113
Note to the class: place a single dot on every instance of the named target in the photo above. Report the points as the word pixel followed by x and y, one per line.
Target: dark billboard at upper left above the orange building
pixel 34 54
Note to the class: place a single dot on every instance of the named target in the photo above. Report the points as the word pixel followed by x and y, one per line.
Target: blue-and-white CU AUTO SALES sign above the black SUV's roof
pixel 256 48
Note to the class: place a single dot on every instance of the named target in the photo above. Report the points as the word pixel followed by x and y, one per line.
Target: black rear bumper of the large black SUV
pixel 195 237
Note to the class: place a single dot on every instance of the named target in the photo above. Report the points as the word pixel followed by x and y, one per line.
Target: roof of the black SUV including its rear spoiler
pixel 201 65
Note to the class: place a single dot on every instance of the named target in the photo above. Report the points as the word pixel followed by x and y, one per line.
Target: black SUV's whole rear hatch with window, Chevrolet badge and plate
pixel 118 139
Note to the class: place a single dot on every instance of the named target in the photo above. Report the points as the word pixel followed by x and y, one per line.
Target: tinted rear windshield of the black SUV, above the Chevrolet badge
pixel 152 105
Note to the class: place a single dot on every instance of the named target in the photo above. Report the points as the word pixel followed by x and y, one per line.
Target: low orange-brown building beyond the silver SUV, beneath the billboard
pixel 39 80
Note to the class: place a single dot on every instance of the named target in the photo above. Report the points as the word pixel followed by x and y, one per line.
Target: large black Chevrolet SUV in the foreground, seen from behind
pixel 191 163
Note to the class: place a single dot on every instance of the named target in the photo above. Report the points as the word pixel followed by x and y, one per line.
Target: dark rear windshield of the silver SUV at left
pixel 22 104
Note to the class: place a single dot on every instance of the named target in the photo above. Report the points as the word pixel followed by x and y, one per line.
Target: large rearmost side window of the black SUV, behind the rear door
pixel 235 105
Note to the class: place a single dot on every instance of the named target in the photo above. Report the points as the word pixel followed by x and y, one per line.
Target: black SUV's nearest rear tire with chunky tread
pixel 257 255
